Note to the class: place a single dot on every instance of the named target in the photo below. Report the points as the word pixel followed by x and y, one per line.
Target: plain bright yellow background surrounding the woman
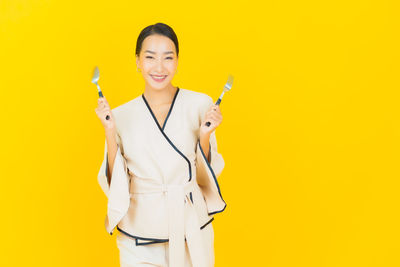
pixel 310 133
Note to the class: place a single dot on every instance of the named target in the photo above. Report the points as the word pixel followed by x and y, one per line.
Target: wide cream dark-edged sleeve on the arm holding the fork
pixel 208 172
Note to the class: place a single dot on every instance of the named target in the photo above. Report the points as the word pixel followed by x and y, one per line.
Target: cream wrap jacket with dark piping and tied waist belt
pixel 163 189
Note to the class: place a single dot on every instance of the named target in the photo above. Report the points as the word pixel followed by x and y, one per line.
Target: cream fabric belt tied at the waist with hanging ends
pixel 181 221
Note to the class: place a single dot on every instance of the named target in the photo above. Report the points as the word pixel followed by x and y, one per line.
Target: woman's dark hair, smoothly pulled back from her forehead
pixel 158 28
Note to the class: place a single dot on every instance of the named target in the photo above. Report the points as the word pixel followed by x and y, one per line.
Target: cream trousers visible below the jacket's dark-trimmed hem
pixel 156 254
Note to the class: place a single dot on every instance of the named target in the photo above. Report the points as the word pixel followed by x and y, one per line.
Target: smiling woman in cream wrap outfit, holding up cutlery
pixel 162 190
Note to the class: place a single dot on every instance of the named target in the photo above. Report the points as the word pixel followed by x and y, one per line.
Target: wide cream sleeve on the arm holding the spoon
pixel 117 191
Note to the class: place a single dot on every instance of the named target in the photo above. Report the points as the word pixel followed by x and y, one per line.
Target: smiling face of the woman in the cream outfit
pixel 157 61
